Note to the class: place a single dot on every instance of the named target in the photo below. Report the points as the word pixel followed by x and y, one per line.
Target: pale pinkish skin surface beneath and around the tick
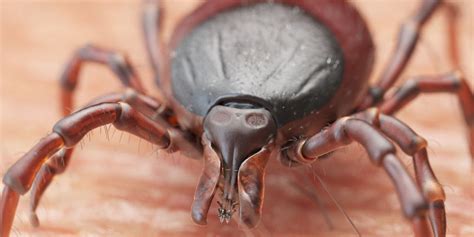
pixel 121 188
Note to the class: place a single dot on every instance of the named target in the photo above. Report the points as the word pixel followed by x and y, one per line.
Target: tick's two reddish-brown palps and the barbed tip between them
pixel 250 189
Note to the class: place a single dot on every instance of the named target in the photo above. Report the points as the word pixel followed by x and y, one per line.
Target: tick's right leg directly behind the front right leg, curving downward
pixel 414 145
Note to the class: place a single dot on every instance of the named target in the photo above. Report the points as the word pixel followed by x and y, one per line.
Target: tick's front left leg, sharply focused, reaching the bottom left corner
pixel 69 131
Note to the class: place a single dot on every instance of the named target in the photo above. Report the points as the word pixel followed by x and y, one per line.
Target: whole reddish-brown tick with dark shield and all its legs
pixel 241 88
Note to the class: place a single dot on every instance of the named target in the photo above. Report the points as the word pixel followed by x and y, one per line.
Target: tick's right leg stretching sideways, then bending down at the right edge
pixel 451 82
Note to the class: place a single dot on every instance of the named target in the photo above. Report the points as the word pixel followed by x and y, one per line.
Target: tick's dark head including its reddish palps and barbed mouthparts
pixel 237 150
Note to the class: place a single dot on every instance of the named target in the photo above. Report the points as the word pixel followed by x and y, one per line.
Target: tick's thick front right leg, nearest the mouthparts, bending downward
pixel 381 152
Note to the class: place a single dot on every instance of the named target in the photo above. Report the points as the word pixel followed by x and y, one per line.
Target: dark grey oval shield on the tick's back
pixel 271 51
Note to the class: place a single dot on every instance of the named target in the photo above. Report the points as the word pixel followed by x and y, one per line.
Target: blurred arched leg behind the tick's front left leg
pixel 118 63
